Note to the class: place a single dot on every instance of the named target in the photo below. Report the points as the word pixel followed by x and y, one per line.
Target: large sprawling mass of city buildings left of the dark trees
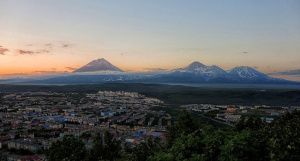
pixel 30 122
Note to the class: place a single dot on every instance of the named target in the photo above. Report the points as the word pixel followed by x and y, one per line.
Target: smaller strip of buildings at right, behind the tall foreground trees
pixel 233 113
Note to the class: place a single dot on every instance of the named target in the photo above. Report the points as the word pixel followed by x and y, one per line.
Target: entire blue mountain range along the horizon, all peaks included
pixel 100 70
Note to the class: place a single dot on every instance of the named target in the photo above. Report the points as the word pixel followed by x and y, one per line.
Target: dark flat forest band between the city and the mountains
pixel 177 95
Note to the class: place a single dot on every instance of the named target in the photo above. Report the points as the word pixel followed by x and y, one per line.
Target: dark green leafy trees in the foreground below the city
pixel 250 140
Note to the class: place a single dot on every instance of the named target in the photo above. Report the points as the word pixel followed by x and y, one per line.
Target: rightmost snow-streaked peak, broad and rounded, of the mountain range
pixel 244 72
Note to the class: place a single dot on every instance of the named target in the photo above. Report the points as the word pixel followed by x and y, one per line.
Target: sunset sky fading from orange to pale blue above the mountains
pixel 57 36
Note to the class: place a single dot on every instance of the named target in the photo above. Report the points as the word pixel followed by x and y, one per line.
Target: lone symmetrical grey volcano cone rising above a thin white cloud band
pixel 99 65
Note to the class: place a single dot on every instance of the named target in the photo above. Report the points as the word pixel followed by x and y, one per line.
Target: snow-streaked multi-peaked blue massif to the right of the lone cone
pixel 197 72
